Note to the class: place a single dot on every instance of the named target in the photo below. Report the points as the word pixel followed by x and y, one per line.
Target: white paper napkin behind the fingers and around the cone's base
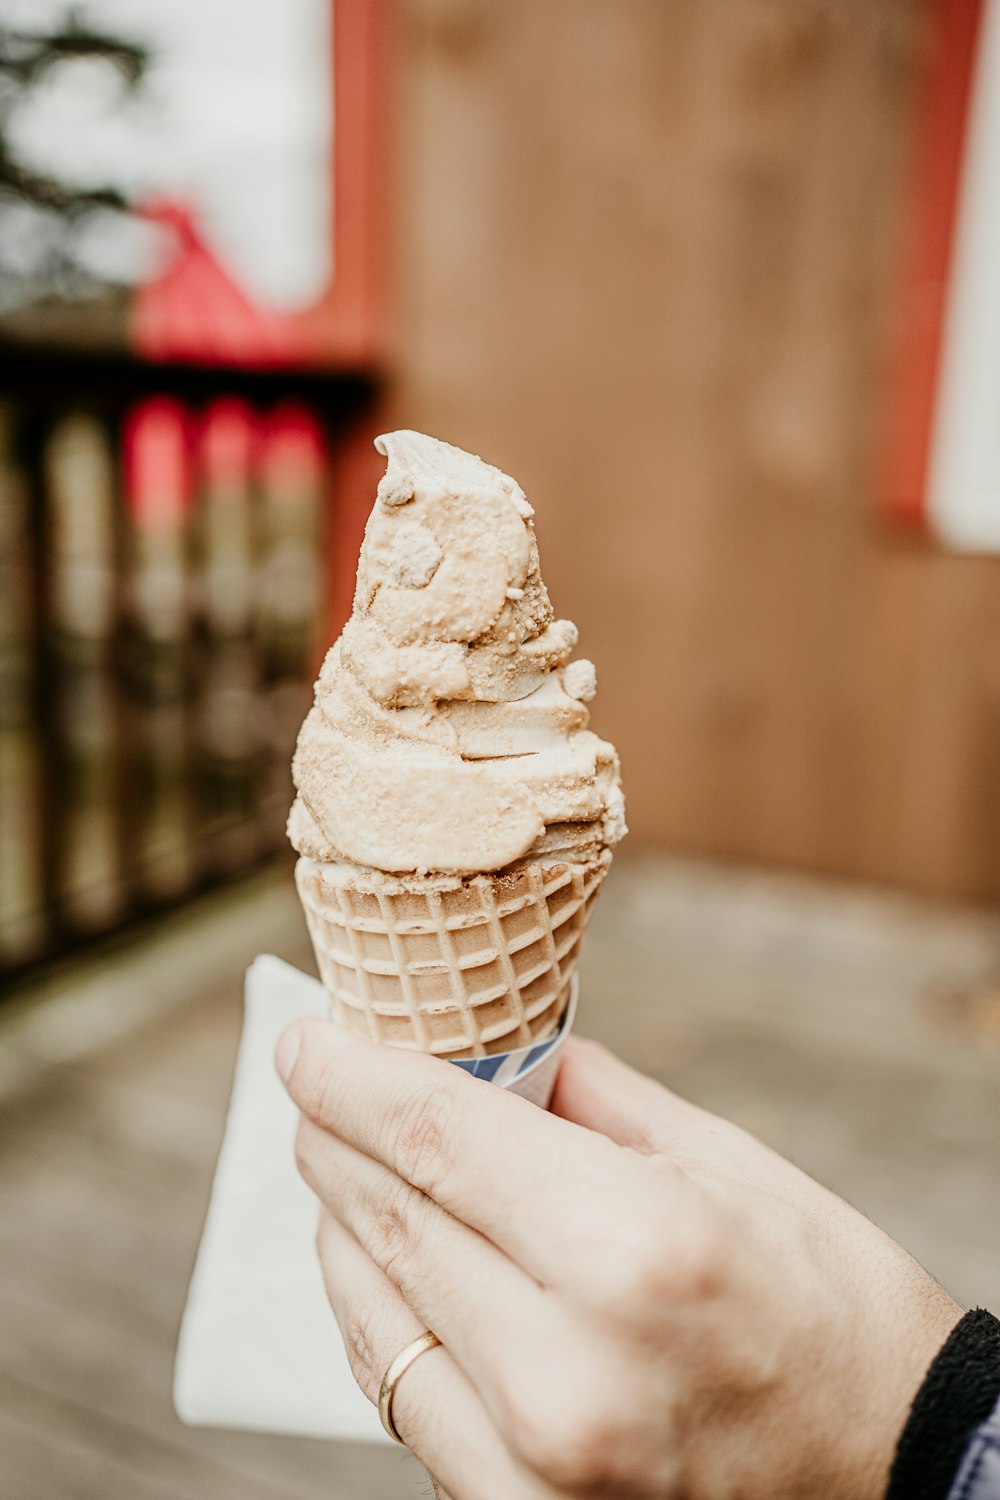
pixel 259 1346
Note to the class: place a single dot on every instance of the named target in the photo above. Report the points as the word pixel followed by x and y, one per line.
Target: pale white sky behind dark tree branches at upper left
pixel 235 113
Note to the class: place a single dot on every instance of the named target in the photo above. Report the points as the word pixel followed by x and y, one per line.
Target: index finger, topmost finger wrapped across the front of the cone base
pixel 533 1184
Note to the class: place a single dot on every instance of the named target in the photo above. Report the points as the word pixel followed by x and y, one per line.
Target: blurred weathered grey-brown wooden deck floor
pixel 855 1031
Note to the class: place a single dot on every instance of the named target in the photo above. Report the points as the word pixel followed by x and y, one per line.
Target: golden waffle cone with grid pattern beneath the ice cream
pixel 461 968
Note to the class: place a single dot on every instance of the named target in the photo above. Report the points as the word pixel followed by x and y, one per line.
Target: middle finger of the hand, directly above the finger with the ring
pixel 488 1313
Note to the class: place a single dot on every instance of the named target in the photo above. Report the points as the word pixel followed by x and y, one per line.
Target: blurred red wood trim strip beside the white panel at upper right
pixel 941 137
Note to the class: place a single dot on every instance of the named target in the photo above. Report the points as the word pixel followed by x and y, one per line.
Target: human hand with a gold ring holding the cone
pixel 635 1298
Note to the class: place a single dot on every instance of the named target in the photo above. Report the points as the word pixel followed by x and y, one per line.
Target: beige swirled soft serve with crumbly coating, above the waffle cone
pixel 449 731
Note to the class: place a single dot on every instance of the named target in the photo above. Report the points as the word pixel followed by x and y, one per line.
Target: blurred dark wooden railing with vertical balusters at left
pixel 164 544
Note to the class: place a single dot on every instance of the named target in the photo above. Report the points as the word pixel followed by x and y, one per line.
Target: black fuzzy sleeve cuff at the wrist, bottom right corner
pixel 960 1393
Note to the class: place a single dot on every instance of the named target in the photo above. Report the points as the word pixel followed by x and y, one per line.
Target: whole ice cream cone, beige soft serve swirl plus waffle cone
pixel 455 815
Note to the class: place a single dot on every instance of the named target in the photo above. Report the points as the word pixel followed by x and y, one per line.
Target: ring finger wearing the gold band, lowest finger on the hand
pixel 436 1409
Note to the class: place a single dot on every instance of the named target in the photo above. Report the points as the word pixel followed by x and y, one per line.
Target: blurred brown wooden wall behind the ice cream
pixel 644 263
